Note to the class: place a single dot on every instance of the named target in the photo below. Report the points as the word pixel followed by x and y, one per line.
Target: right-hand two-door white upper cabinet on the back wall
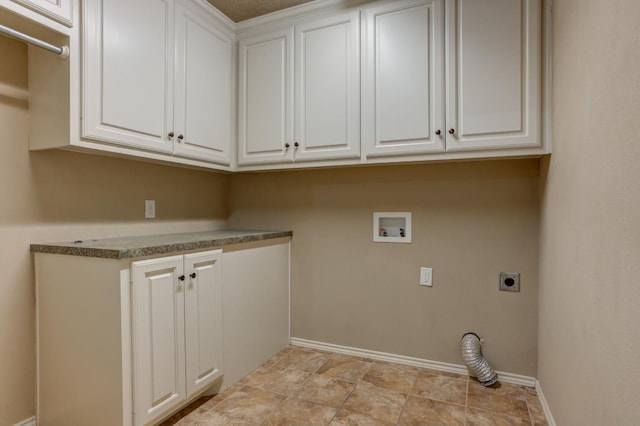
pixel 443 77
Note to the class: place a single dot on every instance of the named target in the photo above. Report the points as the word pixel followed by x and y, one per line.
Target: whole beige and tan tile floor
pixel 300 386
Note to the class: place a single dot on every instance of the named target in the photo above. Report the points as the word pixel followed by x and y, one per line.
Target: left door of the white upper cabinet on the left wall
pixel 126 81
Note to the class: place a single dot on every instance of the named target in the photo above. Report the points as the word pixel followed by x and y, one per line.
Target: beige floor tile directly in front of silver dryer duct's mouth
pixel 503 398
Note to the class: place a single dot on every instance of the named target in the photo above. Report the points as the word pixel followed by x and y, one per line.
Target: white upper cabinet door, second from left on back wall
pixel 327 108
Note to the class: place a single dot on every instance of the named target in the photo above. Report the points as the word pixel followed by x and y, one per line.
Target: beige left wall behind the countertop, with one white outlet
pixel 58 195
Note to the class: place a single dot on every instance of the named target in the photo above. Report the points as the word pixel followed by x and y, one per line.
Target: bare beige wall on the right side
pixel 589 344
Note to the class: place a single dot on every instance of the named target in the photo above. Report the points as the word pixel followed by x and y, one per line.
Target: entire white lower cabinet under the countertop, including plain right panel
pixel 128 342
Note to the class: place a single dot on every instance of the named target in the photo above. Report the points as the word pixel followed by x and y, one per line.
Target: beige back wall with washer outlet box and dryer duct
pixel 470 221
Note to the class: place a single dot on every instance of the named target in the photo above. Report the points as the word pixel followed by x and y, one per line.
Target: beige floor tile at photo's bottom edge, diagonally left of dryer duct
pixel 421 411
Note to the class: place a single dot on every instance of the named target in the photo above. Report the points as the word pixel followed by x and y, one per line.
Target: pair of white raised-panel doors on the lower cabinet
pixel 177 330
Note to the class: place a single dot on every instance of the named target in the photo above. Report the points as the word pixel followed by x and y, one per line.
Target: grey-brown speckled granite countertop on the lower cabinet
pixel 149 245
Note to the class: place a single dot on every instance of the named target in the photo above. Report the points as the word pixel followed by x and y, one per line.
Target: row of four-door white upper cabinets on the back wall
pixel 441 79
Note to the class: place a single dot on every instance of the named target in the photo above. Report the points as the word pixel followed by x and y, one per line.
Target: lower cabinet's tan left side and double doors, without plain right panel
pixel 126 343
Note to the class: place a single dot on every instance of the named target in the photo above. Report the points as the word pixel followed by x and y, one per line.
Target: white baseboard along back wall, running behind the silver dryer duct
pixel 407 360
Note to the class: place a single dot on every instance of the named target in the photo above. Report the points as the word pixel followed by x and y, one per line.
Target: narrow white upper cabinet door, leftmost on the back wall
pixel 265 103
